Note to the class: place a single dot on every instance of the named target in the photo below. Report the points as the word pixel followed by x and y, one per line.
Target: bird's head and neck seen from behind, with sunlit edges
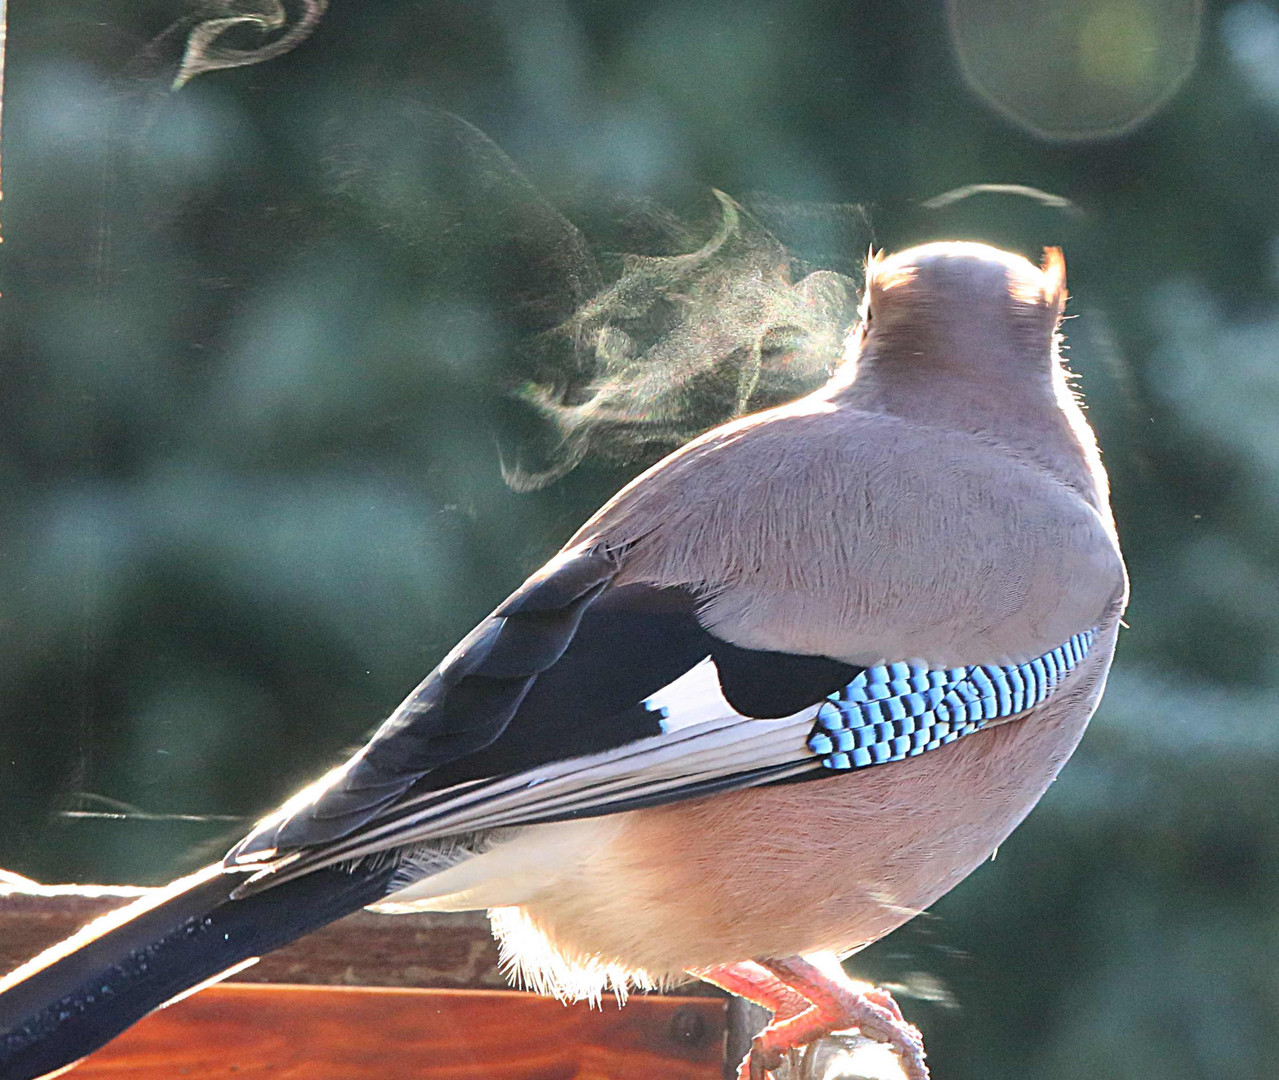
pixel 966 337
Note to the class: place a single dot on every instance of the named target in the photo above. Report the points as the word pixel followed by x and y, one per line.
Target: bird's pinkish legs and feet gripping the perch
pixel 832 1004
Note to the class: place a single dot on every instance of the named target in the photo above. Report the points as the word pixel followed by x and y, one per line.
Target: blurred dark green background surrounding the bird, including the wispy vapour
pixel 267 344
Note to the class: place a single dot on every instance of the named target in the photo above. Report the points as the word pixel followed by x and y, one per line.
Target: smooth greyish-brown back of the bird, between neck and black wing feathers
pixel 863 537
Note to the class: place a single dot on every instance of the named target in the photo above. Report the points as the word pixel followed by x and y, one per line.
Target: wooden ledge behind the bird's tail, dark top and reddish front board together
pixel 387 996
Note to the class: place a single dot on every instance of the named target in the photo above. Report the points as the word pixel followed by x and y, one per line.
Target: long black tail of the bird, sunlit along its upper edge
pixel 109 977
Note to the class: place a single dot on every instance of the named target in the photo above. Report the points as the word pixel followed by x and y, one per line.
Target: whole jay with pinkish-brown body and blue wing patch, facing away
pixel 778 695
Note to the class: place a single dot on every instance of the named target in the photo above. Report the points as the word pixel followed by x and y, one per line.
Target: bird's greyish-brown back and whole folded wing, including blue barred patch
pixel 594 690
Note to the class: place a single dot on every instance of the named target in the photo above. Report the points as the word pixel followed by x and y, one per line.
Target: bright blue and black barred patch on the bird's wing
pixel 898 711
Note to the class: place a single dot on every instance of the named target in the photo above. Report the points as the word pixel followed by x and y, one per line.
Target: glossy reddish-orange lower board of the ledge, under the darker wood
pixel 327 1033
